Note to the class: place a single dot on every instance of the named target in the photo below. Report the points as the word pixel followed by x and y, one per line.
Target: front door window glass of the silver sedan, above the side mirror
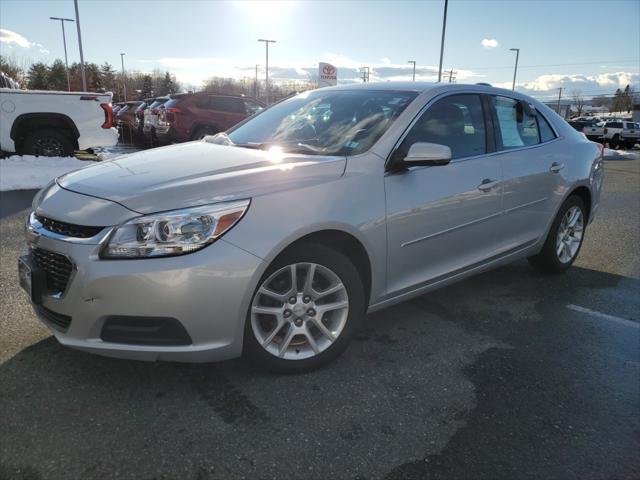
pixel 456 121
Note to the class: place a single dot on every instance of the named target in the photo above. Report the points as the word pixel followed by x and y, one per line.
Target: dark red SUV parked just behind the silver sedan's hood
pixel 191 116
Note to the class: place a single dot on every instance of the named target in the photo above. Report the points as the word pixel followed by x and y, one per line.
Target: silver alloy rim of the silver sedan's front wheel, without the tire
pixel 299 311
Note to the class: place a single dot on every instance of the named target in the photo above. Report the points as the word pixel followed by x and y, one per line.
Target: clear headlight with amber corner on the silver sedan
pixel 173 233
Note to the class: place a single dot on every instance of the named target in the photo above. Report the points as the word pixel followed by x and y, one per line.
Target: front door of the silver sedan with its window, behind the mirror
pixel 442 219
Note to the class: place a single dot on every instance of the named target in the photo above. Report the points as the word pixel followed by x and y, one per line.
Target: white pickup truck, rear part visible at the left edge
pixel 54 124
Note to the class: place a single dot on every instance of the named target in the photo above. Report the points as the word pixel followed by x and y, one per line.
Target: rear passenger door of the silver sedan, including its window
pixel 533 169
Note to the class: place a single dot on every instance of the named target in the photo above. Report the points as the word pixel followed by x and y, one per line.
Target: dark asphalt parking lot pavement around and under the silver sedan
pixel 511 374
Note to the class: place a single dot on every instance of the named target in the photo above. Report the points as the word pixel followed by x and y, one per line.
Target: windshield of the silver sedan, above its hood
pixel 323 122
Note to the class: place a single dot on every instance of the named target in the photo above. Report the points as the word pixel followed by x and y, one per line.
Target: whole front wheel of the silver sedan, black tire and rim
pixel 274 329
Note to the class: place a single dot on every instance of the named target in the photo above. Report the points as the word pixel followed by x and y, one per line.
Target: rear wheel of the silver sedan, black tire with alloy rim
pixel 551 258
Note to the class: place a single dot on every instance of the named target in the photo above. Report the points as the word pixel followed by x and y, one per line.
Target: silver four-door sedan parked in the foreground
pixel 275 238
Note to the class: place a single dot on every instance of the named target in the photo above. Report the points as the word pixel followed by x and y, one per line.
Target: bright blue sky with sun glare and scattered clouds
pixel 580 45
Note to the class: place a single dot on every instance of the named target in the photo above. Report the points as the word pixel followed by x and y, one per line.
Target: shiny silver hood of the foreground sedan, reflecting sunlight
pixel 198 173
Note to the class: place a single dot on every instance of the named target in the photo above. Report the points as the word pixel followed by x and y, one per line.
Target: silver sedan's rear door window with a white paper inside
pixel 517 128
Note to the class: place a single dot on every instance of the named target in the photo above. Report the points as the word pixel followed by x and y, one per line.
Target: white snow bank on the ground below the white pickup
pixel 30 172
